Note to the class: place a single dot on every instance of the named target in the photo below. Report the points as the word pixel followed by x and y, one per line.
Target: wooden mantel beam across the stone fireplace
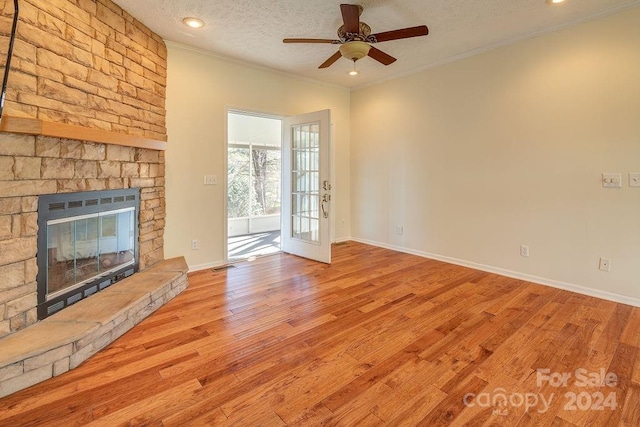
pixel 63 130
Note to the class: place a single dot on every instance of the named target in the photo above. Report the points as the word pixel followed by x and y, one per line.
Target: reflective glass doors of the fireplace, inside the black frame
pixel 83 248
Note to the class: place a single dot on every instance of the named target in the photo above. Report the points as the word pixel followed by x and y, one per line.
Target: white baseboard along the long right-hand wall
pixel 513 274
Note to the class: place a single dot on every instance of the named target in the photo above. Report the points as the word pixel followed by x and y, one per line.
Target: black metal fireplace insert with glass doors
pixel 86 242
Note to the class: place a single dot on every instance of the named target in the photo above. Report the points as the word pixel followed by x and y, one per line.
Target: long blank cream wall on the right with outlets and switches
pixel 505 148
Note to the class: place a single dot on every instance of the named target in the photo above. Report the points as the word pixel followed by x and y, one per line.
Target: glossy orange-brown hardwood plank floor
pixel 377 338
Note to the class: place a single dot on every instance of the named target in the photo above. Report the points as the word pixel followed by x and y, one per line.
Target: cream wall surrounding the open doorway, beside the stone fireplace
pixel 200 87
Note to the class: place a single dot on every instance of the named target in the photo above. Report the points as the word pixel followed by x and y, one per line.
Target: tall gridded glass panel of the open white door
pixel 305 219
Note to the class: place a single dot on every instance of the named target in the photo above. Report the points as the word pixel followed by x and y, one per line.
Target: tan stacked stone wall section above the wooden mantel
pixel 86 63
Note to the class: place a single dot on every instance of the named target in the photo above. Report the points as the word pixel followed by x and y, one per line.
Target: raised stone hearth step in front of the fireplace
pixel 66 339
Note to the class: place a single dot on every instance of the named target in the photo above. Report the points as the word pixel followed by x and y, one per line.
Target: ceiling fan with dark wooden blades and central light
pixel 355 38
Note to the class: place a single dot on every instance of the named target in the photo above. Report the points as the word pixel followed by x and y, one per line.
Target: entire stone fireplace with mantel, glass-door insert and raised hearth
pixel 84 116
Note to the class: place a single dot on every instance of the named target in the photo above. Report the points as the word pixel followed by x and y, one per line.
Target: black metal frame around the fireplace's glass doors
pixel 67 205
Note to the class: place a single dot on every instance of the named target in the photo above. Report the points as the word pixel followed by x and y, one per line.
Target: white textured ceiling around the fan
pixel 252 30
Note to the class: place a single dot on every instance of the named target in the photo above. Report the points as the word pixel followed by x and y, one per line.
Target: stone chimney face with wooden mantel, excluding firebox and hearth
pixel 85 110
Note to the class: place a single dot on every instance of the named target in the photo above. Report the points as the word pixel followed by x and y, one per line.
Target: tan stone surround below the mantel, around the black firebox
pixel 61 166
